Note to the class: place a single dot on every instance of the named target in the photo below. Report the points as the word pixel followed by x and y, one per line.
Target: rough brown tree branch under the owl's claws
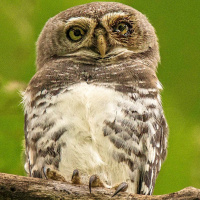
pixel 23 188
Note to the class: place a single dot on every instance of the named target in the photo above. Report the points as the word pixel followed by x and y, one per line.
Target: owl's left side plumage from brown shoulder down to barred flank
pixel 41 136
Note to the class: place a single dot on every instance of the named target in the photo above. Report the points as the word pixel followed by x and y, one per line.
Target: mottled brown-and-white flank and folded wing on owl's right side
pixel 139 134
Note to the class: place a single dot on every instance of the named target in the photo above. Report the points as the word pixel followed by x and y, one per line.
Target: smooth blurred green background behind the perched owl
pixel 178 27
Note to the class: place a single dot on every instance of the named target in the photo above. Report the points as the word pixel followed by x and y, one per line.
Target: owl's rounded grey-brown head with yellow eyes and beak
pixel 98 32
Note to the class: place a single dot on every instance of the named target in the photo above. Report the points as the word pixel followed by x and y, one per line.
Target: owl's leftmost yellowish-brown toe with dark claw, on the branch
pixel 53 174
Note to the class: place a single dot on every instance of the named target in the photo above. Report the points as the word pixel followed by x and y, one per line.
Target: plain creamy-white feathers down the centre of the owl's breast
pixel 83 110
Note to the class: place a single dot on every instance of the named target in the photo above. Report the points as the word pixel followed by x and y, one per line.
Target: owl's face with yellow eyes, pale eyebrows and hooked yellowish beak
pixel 101 37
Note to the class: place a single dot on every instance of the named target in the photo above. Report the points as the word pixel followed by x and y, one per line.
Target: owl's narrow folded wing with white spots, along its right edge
pixel 156 152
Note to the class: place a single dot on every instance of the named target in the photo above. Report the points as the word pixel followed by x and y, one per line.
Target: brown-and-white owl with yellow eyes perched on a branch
pixel 93 112
